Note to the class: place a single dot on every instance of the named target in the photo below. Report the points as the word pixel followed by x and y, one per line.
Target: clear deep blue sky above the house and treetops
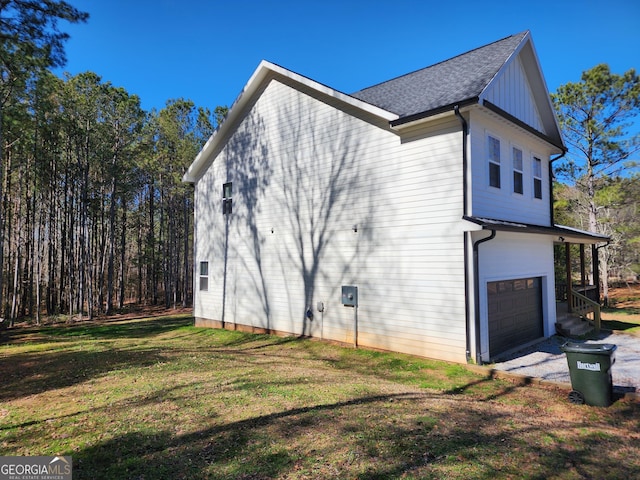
pixel 206 50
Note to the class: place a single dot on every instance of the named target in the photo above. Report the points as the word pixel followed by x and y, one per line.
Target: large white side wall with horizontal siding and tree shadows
pixel 304 174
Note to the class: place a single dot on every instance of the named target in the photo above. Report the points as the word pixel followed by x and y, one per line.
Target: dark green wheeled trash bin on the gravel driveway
pixel 590 372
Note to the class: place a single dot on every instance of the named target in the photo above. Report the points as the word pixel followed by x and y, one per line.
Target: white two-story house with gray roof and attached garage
pixel 412 216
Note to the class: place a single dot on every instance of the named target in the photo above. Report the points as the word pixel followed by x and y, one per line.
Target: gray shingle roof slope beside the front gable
pixel 446 83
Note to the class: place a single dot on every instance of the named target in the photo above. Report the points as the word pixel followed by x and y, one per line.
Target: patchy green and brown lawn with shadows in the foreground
pixel 160 399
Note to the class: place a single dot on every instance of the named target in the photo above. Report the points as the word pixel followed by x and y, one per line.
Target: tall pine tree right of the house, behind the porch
pixel 595 115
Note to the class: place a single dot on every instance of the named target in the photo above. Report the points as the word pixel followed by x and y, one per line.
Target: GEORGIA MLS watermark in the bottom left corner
pixel 36 468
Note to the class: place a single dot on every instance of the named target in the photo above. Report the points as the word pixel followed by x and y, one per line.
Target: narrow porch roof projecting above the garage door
pixel 562 233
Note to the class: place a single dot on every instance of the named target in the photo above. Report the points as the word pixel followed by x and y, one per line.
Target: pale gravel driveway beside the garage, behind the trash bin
pixel 546 361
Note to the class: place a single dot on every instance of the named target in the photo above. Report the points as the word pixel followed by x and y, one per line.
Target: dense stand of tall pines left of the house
pixel 94 213
